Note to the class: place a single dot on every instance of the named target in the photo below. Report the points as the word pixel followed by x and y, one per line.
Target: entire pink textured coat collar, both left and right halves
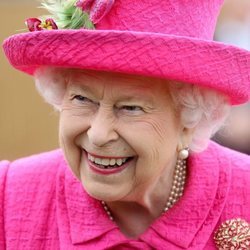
pixel 191 220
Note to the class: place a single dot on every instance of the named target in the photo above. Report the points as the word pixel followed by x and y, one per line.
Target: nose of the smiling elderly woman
pixel 102 129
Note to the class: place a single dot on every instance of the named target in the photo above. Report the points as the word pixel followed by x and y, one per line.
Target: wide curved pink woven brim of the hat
pixel 207 63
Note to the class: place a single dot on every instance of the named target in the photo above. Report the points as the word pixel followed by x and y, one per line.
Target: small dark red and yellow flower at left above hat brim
pixel 35 24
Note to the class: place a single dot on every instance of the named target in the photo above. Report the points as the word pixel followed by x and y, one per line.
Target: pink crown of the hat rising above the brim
pixel 192 18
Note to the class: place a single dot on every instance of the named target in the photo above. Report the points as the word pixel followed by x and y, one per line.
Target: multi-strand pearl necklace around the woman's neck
pixel 176 190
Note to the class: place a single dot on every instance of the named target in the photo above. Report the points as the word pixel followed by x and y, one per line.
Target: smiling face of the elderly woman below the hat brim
pixel 119 133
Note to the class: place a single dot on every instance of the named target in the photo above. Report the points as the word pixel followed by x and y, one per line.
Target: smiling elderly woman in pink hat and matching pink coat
pixel 140 88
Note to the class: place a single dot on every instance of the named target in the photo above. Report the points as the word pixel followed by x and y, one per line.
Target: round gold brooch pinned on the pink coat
pixel 233 234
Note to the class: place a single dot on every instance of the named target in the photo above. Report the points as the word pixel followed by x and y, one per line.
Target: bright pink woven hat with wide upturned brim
pixel 170 39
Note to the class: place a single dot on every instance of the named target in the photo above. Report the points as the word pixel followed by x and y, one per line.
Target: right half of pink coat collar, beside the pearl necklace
pixel 195 215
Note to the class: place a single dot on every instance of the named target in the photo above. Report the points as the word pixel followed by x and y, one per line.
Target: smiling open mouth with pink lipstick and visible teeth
pixel 108 163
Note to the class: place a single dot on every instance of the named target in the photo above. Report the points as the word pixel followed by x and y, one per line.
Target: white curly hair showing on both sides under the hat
pixel 200 108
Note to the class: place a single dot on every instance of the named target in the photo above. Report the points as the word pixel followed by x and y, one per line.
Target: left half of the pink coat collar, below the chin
pixel 84 216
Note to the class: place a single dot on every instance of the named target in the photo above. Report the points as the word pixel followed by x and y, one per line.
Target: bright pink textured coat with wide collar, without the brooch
pixel 43 206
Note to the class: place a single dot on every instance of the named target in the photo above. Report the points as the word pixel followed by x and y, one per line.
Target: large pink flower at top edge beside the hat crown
pixel 97 8
